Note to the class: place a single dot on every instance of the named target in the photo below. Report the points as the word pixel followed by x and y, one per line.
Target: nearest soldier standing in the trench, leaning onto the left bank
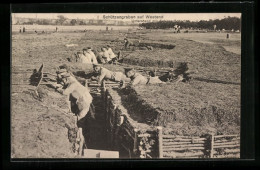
pixel 79 96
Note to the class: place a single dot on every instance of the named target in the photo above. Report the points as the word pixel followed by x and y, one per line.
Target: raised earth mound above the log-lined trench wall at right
pixel 186 109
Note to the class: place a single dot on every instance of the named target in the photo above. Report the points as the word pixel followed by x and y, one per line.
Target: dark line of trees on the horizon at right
pixel 228 23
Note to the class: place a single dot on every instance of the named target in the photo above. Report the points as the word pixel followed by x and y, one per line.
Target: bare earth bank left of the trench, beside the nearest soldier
pixel 40 126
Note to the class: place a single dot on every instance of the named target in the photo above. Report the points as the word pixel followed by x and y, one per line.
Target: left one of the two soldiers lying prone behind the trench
pixel 104 73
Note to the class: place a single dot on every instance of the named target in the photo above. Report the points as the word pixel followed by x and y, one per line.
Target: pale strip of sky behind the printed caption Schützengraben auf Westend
pixel 130 16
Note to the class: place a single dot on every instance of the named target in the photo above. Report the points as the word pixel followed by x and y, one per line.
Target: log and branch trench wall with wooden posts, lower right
pixel 144 141
